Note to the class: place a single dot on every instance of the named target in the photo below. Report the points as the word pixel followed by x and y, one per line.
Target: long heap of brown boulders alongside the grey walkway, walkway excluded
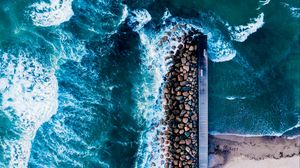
pixel 180 96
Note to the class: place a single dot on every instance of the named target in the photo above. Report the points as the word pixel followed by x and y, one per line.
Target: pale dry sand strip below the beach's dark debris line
pixel 238 162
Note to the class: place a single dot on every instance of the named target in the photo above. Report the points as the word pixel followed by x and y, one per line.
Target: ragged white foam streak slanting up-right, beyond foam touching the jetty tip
pixel 240 33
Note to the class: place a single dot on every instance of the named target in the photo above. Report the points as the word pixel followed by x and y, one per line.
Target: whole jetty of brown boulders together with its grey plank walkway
pixel 181 141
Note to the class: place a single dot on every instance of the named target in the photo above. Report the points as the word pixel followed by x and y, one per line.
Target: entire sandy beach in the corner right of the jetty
pixel 232 151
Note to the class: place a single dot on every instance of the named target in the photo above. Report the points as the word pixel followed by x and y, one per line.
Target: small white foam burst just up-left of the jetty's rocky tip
pixel 138 18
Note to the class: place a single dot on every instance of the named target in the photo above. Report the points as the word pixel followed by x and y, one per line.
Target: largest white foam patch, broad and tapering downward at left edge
pixel 29 99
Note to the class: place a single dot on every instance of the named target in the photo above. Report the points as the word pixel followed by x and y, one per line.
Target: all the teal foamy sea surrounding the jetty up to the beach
pixel 80 80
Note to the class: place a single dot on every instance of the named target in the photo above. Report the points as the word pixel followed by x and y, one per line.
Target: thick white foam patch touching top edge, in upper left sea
pixel 51 14
